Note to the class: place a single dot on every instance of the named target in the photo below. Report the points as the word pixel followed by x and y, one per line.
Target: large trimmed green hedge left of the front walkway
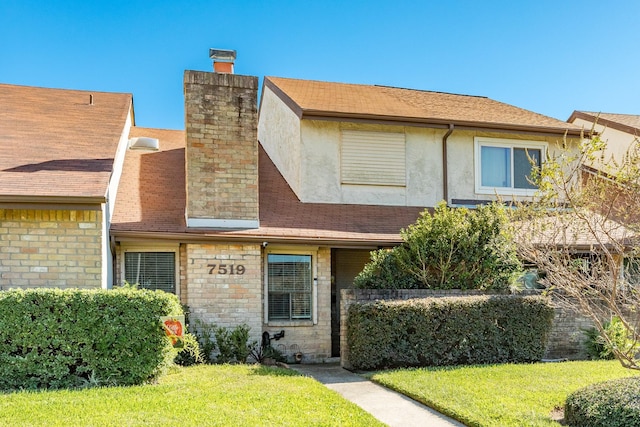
pixel 52 338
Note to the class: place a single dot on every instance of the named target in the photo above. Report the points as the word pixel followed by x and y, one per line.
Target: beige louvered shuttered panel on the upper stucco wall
pixel 373 158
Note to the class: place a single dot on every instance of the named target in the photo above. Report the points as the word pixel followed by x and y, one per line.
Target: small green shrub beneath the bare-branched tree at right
pixel 598 347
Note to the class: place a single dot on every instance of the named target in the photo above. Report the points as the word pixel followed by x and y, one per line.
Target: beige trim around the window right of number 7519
pixel 283 250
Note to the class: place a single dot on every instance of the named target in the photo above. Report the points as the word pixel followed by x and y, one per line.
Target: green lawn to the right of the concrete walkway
pixel 500 395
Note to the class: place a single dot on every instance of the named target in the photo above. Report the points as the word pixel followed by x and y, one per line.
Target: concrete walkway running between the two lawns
pixel 393 409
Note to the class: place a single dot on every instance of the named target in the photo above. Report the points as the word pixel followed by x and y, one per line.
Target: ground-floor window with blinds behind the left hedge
pixel 151 270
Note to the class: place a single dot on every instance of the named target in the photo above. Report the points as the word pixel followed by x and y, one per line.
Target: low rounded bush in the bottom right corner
pixel 613 403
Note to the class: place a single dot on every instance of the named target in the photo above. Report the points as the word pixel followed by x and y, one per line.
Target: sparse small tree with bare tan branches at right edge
pixel 580 231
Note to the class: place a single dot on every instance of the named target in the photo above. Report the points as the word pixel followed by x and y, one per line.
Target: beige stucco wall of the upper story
pixel 316 177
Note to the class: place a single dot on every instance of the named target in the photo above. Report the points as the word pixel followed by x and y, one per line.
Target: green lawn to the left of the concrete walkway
pixel 204 395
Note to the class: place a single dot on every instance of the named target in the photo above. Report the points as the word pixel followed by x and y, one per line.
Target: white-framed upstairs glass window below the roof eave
pixel 504 166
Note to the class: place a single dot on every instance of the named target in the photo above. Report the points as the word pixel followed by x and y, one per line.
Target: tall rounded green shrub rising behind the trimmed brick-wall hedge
pixel 453 248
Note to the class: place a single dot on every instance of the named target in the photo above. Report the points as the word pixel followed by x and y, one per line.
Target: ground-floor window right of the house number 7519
pixel 290 286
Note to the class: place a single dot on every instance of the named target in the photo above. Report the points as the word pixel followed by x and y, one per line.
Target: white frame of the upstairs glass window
pixel 504 143
